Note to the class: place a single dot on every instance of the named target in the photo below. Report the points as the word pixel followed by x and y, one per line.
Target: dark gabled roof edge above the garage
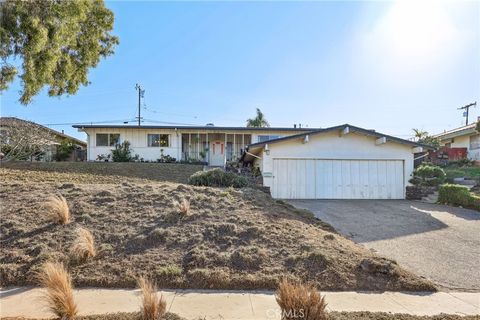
pixel 340 127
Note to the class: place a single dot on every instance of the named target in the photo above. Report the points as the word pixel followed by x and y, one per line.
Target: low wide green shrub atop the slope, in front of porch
pixel 217 178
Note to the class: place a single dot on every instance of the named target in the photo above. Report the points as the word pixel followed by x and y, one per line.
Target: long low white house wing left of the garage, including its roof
pixel 210 144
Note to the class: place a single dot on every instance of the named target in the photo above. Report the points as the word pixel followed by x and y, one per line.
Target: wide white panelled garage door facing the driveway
pixel 337 179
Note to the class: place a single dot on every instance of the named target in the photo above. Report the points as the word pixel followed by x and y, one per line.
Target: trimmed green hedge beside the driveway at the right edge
pixel 457 195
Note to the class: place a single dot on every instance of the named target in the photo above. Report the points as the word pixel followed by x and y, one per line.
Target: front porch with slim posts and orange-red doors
pixel 214 148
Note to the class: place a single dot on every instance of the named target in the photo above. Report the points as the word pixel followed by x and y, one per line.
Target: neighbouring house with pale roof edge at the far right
pixel 463 137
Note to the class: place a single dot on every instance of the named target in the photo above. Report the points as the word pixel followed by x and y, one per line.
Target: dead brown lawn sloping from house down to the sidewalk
pixel 231 239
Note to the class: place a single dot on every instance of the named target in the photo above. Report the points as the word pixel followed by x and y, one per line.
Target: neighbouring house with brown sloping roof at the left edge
pixel 55 138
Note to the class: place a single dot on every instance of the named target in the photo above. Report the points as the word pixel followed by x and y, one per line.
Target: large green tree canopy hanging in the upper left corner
pixel 57 42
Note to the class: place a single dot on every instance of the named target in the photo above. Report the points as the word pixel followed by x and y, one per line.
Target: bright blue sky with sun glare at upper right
pixel 388 66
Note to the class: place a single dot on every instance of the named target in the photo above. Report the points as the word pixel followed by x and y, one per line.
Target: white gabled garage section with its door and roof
pixel 342 162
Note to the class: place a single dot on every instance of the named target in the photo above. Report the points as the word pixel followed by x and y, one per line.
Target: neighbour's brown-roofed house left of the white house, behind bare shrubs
pixel 25 130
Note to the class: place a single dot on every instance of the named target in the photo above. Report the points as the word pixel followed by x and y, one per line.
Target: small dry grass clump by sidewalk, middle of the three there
pixel 153 307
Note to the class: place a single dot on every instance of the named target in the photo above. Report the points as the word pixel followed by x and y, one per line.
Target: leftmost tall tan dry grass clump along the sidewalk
pixel 59 294
